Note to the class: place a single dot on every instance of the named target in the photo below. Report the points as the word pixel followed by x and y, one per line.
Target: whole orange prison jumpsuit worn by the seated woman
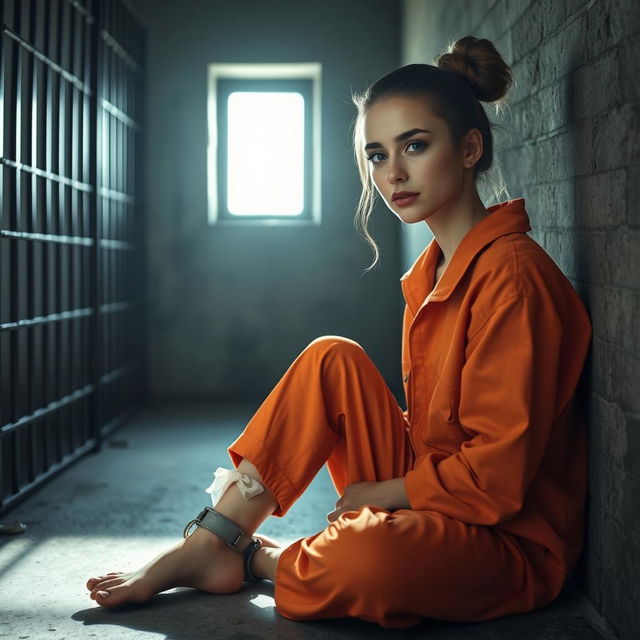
pixel 491 447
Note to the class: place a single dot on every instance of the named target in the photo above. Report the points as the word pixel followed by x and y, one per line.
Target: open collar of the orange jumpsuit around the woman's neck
pixel 416 283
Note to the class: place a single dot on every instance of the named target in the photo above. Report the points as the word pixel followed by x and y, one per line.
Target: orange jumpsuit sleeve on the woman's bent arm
pixel 508 391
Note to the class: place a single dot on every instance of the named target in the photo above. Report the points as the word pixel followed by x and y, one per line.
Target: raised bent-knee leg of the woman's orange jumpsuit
pixel 332 405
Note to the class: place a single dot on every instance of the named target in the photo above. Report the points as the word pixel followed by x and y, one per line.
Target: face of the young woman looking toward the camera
pixel 422 162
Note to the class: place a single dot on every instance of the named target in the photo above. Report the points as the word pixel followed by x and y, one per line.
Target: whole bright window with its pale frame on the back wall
pixel 264 143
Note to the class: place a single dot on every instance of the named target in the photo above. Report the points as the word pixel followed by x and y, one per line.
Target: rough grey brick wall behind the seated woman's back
pixel 574 156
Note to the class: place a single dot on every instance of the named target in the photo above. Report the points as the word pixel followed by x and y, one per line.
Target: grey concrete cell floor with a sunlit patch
pixel 117 510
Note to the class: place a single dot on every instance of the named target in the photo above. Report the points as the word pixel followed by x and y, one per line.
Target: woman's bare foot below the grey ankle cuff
pixel 202 560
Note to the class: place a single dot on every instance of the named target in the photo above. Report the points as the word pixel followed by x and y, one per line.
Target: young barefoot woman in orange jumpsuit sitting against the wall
pixel 468 505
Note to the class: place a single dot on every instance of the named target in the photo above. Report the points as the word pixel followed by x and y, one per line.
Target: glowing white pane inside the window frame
pixel 265 153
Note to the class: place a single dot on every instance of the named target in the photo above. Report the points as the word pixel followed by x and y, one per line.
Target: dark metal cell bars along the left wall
pixel 72 284
